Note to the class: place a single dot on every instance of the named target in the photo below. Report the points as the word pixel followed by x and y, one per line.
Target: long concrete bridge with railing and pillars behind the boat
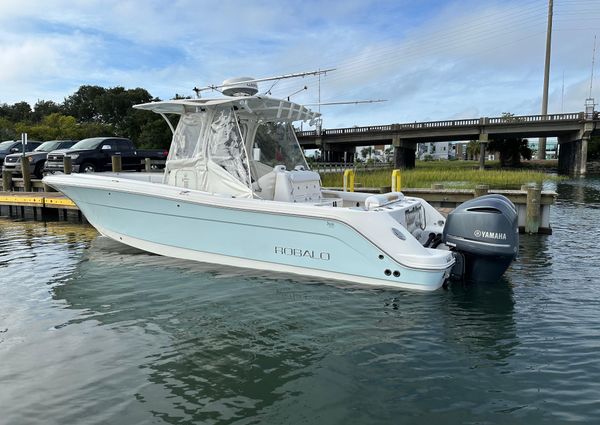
pixel 573 131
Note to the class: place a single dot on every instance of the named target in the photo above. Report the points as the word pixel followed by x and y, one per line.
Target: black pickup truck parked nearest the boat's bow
pixel 94 154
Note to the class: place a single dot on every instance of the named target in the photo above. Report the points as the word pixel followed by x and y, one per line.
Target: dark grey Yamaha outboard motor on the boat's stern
pixel 484 235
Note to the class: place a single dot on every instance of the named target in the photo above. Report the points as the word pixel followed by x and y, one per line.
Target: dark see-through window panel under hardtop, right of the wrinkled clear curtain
pixel 276 144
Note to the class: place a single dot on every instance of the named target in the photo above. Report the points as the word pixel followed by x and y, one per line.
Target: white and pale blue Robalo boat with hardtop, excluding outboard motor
pixel 237 191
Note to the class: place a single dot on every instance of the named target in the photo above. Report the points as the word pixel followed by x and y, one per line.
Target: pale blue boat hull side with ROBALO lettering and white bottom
pixel 310 246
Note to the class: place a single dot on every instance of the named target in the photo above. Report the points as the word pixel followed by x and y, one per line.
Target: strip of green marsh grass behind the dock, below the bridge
pixel 452 174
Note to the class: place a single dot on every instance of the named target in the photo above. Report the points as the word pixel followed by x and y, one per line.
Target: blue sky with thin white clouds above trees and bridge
pixel 429 59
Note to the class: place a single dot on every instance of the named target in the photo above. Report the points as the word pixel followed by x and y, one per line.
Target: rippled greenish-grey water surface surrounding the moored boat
pixel 93 332
